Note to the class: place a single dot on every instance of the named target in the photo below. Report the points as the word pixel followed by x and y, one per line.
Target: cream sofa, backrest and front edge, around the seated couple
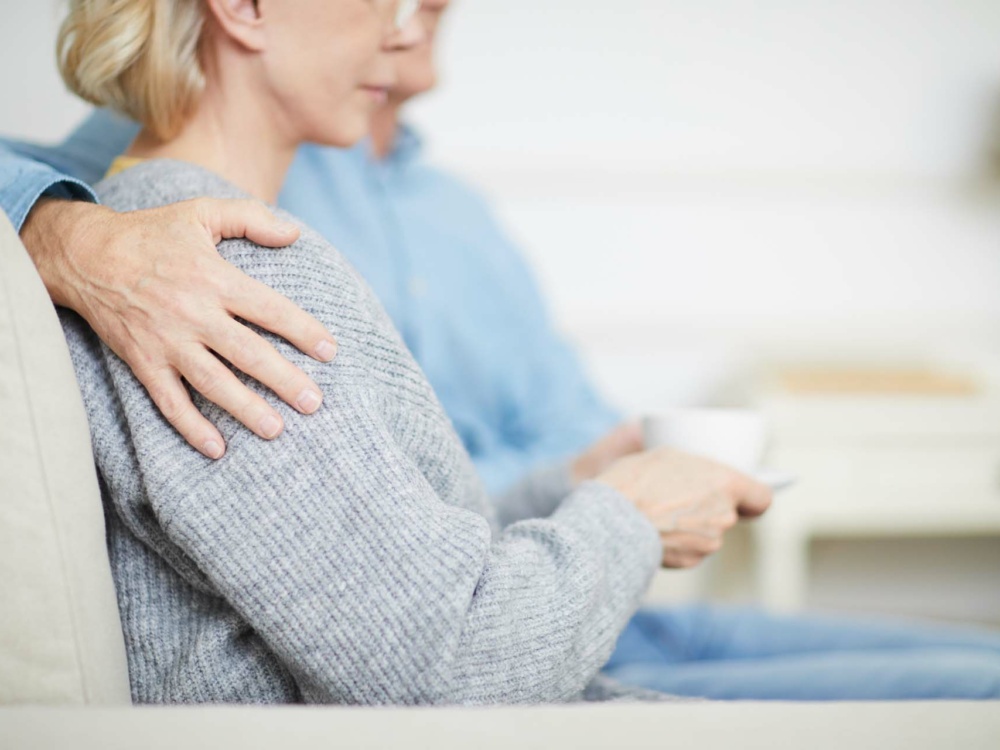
pixel 63 674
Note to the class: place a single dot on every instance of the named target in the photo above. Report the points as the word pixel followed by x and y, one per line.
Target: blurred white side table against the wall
pixel 875 466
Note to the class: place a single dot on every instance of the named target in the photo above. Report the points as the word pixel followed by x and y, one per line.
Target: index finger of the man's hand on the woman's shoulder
pixel 258 303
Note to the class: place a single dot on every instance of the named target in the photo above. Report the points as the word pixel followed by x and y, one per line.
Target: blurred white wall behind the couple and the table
pixel 704 183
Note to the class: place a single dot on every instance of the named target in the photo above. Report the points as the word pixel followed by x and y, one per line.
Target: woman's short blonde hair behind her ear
pixel 139 57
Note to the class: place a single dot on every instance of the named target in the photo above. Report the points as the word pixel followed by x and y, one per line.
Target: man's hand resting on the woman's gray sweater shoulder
pixel 153 286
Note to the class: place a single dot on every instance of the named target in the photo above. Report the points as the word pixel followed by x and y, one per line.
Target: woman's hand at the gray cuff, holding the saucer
pixel 691 501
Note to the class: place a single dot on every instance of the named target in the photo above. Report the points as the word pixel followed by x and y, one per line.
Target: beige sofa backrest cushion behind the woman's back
pixel 60 636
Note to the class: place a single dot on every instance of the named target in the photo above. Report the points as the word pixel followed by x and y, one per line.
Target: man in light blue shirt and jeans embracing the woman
pixel 467 307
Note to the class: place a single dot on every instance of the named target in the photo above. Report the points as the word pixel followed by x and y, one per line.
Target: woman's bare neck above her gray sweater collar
pixel 231 134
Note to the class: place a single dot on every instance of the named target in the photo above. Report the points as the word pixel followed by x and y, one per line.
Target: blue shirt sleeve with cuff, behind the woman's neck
pixel 30 171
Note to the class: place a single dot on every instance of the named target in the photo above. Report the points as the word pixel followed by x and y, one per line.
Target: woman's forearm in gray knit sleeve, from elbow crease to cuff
pixel 561 590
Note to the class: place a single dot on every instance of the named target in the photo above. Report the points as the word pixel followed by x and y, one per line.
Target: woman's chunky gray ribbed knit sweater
pixel 355 559
